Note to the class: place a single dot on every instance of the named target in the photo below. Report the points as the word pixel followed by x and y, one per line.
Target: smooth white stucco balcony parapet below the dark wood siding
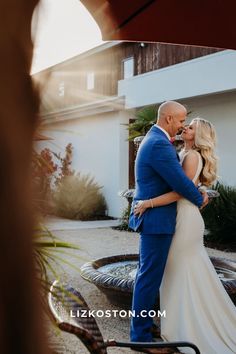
pixel 201 76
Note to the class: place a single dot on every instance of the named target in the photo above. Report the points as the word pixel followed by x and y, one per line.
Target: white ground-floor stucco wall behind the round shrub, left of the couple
pixel 100 148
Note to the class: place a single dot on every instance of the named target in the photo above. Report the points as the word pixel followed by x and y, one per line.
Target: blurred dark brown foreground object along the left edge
pixel 21 329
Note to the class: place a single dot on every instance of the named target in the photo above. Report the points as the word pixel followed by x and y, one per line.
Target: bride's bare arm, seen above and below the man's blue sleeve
pixel 189 165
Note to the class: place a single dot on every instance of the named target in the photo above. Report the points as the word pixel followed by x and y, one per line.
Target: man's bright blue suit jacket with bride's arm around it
pixel 158 171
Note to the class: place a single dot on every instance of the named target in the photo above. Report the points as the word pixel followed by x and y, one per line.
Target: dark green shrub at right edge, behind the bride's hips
pixel 219 216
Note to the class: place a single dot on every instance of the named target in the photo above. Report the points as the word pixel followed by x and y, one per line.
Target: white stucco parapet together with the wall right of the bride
pixel 207 85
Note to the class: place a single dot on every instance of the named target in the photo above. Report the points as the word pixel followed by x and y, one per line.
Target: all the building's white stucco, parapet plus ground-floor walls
pixel 207 86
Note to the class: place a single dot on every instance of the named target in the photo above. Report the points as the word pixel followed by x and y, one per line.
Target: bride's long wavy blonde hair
pixel 205 141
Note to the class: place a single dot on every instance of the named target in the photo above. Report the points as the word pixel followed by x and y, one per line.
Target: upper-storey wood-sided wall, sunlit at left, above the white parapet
pixel 107 66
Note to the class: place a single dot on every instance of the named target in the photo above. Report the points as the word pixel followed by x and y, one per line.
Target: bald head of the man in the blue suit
pixel 171 117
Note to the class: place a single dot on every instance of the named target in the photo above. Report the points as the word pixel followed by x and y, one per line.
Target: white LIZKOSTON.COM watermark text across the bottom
pixel 116 313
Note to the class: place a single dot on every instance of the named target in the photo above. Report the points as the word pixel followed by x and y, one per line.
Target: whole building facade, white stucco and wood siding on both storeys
pixel 100 140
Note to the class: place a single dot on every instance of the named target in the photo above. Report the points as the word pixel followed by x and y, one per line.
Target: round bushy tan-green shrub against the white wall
pixel 79 197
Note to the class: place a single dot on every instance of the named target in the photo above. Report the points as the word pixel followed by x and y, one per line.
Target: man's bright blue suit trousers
pixel 153 254
